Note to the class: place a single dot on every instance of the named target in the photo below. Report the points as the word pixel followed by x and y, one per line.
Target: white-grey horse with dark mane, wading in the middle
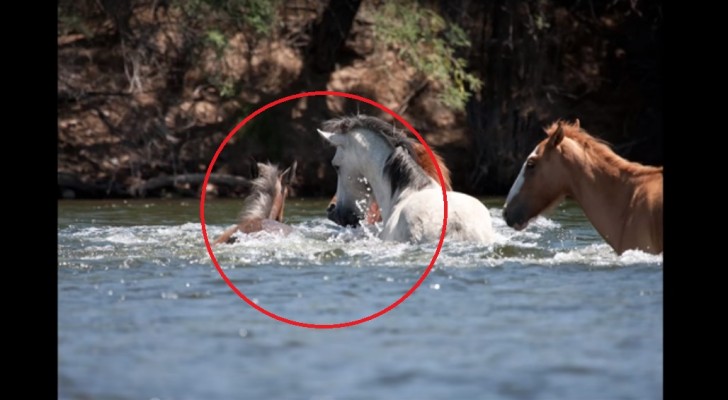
pixel 410 200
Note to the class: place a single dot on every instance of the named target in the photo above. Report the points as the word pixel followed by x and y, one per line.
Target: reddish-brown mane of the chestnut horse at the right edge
pixel 599 150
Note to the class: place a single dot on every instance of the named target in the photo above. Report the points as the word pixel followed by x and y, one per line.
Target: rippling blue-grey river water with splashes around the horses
pixel 547 313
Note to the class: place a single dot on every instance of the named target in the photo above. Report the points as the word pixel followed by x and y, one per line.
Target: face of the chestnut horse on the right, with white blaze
pixel 541 184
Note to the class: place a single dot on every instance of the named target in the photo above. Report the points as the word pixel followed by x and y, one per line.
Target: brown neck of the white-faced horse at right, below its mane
pixel 604 191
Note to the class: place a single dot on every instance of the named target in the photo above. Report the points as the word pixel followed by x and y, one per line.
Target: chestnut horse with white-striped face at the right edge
pixel 621 199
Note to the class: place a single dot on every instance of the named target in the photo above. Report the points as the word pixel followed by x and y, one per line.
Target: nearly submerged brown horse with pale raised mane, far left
pixel 263 207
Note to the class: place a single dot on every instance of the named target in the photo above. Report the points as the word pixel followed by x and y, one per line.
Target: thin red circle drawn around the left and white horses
pixel 305 324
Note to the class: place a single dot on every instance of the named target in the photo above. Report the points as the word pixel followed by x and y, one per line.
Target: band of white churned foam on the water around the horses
pixel 317 241
